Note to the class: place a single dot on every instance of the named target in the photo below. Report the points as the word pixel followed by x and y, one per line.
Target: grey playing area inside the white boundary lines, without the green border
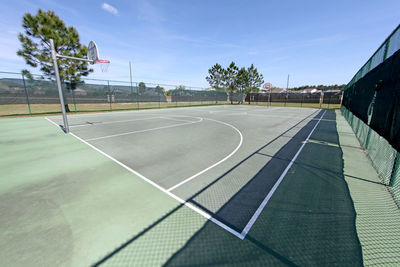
pixel 203 156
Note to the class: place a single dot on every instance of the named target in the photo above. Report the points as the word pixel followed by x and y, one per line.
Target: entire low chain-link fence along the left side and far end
pixel 20 95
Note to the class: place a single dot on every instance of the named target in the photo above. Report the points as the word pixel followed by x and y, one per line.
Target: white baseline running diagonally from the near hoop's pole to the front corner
pixel 187 204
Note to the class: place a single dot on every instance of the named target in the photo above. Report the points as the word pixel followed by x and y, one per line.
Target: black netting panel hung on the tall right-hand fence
pixel 383 109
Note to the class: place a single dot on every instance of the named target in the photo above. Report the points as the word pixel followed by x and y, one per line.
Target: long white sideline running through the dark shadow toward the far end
pixel 268 197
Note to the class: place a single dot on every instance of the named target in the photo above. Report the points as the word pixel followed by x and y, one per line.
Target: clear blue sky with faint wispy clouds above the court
pixel 177 41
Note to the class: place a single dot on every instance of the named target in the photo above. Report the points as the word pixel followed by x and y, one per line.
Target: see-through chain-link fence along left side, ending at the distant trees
pixel 20 95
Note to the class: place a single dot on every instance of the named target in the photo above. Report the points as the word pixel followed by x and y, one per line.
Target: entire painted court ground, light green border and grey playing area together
pixel 215 185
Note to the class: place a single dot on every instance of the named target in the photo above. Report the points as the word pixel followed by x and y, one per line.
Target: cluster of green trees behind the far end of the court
pixel 235 79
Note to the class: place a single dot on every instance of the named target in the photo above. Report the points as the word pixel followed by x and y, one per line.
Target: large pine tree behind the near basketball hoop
pixel 35 41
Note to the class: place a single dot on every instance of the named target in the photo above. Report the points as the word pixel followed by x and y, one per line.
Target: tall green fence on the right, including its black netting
pixel 371 104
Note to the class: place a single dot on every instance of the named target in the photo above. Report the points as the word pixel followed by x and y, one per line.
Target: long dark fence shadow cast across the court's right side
pixel 311 220
